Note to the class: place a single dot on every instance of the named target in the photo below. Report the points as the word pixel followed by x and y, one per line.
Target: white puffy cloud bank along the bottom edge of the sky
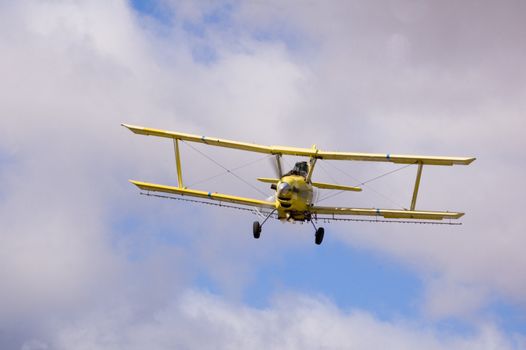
pixel 293 322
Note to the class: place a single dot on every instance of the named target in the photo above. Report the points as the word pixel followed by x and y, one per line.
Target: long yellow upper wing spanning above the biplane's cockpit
pixel 305 152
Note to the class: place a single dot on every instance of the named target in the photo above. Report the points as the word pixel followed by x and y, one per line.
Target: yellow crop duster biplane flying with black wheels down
pixel 293 200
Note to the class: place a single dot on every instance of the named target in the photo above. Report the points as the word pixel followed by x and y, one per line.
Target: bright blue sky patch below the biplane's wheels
pixel 351 278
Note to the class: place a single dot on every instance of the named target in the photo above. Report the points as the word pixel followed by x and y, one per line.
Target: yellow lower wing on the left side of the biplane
pixel 202 194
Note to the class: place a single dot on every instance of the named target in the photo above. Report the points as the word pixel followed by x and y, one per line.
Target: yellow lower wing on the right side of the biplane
pixel 388 213
